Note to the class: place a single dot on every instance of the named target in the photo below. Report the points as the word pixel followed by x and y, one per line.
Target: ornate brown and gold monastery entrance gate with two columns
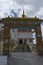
pixel 32 23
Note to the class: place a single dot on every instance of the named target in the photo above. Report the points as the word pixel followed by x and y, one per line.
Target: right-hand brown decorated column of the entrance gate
pixel 39 40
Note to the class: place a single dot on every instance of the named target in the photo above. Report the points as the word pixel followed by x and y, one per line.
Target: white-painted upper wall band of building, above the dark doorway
pixel 23 35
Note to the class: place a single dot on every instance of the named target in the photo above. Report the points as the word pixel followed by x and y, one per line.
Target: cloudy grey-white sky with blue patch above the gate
pixel 14 8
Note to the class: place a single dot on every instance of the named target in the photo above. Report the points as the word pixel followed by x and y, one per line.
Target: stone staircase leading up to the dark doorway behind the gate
pixel 22 48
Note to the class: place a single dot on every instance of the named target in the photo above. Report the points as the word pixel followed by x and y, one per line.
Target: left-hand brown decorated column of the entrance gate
pixel 6 40
